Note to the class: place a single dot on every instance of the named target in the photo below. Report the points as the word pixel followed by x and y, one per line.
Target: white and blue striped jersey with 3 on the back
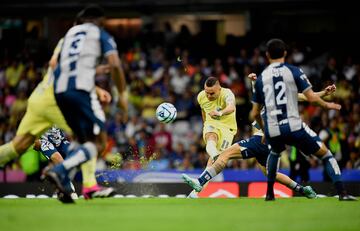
pixel 80 53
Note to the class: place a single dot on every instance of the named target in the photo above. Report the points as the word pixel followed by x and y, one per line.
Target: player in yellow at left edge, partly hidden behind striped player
pixel 41 113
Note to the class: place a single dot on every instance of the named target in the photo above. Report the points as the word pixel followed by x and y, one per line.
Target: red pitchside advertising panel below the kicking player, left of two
pixel 221 190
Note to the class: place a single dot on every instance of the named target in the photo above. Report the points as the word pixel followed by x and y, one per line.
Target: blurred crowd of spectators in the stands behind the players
pixel 168 67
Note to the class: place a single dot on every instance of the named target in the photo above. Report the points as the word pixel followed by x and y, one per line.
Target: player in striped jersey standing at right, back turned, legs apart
pixel 276 89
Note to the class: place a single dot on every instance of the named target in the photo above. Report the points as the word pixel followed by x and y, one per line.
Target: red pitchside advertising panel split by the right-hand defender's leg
pixel 258 189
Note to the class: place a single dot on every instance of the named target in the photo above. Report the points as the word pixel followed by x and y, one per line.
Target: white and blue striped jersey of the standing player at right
pixel 277 90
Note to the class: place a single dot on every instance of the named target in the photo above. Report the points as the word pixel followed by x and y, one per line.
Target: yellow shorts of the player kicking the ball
pixel 225 136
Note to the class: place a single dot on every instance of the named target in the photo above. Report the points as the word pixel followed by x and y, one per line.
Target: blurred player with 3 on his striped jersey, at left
pixel 74 88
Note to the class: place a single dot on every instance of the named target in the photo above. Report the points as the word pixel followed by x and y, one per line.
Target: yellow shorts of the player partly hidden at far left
pixel 41 114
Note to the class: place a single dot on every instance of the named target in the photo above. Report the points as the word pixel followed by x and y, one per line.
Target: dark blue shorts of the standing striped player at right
pixel 305 139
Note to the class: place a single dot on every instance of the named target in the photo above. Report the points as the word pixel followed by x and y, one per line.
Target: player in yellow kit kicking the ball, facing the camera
pixel 218 113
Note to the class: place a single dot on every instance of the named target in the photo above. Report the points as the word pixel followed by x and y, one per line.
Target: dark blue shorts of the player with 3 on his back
pixel 82 112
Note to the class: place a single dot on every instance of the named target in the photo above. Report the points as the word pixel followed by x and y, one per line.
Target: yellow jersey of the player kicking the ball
pixel 229 120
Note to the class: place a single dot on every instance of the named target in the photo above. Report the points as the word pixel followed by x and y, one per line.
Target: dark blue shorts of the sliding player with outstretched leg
pixel 254 149
